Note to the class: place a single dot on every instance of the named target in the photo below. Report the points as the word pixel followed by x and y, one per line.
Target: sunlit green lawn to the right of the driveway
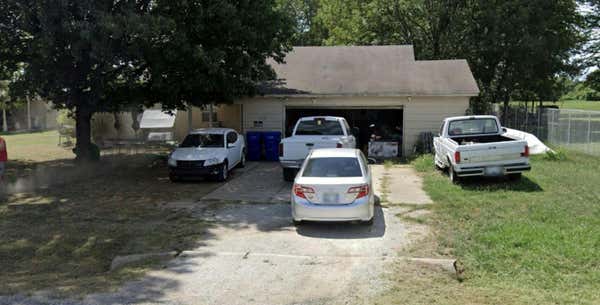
pixel 536 241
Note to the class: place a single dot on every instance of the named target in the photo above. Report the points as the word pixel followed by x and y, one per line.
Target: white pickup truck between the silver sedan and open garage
pixel 312 133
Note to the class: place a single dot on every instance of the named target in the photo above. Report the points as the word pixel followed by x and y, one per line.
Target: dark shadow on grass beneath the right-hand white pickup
pixel 501 183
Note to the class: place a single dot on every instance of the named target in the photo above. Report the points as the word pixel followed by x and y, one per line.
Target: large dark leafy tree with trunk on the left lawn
pixel 105 55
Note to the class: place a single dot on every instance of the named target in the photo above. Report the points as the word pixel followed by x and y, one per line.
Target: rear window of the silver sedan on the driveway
pixel 332 167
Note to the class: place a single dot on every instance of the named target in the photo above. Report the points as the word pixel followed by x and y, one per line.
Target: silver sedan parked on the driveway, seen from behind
pixel 333 185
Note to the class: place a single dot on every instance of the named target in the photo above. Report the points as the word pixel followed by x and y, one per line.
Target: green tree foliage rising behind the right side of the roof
pixel 511 45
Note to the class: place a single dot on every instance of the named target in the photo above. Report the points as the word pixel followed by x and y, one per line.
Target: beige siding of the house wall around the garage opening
pixel 420 113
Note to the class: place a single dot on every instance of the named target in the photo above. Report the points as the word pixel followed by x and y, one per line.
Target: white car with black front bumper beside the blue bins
pixel 211 152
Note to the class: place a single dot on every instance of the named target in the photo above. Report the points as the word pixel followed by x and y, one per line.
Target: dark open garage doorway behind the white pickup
pixel 388 122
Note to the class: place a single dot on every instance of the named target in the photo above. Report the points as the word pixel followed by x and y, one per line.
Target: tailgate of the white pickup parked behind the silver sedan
pixel 298 147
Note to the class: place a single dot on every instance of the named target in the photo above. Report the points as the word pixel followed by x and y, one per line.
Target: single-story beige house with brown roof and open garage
pixel 381 85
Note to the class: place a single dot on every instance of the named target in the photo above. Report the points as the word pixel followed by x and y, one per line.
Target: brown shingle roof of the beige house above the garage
pixel 369 70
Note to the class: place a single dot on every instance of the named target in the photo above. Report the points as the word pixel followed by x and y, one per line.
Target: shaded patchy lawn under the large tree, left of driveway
pixel 61 224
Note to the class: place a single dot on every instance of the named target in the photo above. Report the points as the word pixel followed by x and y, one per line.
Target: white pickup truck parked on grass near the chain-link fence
pixel 478 146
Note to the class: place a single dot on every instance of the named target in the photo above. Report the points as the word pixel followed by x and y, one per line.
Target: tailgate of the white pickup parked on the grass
pixel 491 152
